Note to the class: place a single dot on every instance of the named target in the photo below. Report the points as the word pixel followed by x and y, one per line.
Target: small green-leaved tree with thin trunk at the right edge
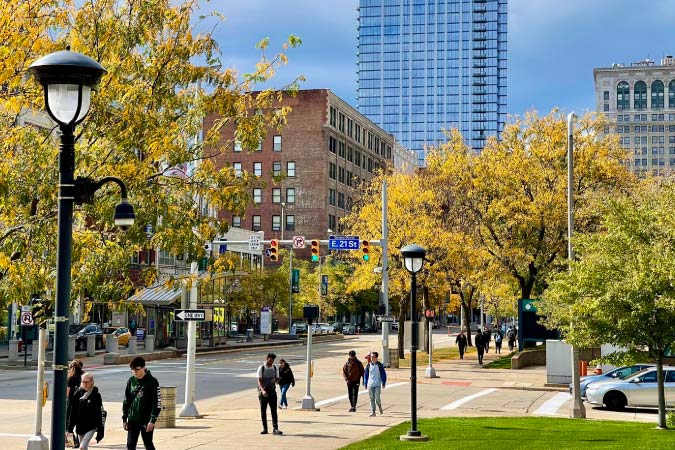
pixel 621 289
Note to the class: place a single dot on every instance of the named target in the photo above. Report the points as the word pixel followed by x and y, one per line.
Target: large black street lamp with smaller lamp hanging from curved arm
pixel 67 79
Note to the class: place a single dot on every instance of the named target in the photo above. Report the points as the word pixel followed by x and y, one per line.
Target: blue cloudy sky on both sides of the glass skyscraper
pixel 553 45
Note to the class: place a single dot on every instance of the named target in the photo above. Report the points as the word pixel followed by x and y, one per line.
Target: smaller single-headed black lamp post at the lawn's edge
pixel 413 257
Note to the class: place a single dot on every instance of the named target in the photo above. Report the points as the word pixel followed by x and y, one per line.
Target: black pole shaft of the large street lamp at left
pixel 63 267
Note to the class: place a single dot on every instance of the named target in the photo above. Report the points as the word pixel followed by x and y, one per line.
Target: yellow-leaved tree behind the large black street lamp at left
pixel 141 128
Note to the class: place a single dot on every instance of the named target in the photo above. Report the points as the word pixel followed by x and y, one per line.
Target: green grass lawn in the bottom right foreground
pixel 531 433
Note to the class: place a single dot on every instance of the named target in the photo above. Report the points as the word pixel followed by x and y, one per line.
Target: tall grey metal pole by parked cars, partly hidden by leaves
pixel 578 410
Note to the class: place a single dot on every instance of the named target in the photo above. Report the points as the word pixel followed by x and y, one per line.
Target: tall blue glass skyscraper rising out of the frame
pixel 429 65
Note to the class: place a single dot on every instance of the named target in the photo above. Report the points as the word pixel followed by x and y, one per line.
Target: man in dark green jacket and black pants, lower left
pixel 141 406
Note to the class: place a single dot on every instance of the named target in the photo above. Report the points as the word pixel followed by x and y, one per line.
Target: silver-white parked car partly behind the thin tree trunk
pixel 637 390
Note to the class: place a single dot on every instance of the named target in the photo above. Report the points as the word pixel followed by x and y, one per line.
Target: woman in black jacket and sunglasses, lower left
pixel 85 415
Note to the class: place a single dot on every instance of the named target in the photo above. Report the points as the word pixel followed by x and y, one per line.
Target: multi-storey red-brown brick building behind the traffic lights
pixel 322 154
